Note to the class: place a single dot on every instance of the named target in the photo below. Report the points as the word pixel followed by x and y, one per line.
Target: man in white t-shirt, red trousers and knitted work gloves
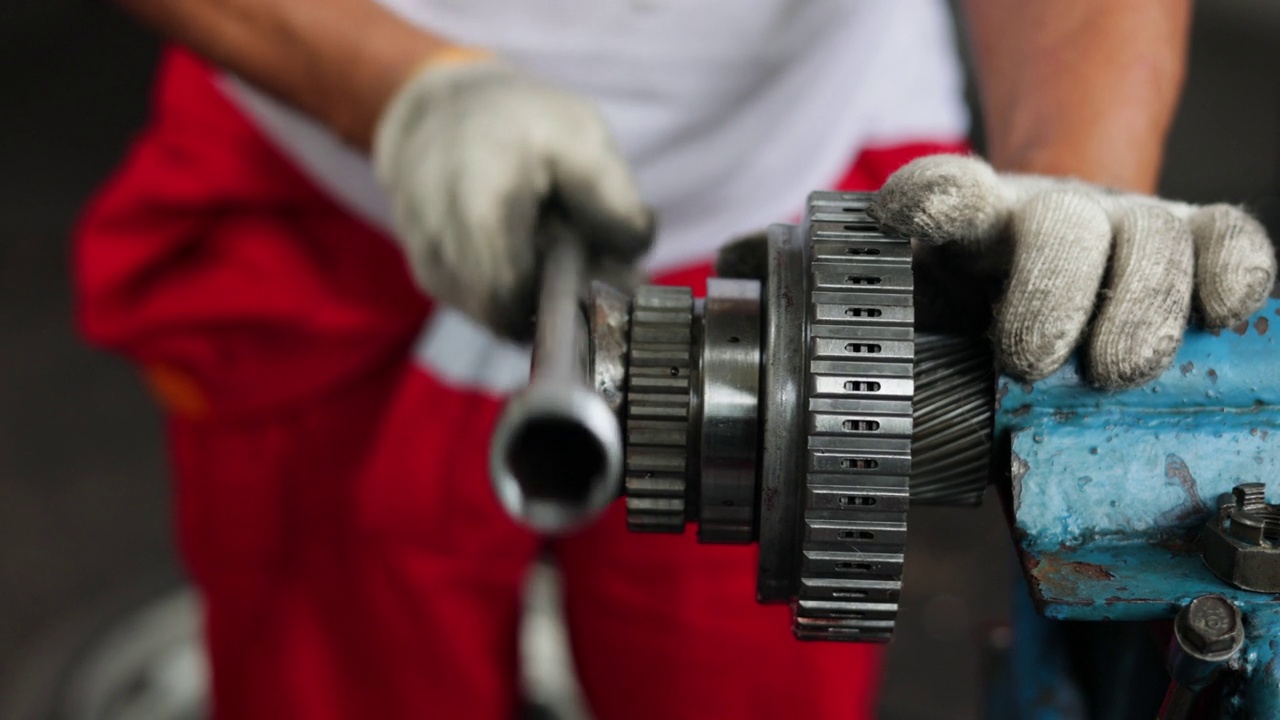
pixel 330 423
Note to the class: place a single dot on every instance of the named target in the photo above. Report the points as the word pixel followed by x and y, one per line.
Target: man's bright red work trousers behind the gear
pixel 332 496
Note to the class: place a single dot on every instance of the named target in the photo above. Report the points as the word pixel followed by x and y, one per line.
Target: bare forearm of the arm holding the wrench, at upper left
pixel 339 61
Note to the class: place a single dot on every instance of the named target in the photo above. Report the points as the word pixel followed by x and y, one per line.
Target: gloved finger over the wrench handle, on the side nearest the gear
pixel 597 190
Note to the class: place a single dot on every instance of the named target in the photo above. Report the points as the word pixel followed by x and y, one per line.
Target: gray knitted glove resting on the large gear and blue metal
pixel 1055 240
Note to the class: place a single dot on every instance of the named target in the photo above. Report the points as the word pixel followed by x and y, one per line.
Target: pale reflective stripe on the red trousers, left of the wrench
pixel 464 354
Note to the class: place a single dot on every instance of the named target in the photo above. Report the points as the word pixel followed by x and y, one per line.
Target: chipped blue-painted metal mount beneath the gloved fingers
pixel 1112 489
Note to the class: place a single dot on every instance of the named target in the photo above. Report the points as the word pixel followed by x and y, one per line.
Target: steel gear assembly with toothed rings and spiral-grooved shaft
pixel 785 412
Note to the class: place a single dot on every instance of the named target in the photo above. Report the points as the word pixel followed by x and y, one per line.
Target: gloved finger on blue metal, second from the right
pixel 1150 294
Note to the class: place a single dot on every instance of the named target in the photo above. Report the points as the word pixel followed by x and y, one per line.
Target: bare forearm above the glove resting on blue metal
pixel 1084 88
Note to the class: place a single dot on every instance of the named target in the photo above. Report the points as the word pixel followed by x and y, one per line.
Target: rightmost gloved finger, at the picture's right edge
pixel 1236 265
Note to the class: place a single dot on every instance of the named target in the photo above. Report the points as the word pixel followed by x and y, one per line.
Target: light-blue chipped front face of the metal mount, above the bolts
pixel 1105 475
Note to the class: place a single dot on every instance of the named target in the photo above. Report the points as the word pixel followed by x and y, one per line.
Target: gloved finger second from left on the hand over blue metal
pixel 1062 241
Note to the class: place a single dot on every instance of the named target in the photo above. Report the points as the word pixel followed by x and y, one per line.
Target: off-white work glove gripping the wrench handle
pixel 482 162
